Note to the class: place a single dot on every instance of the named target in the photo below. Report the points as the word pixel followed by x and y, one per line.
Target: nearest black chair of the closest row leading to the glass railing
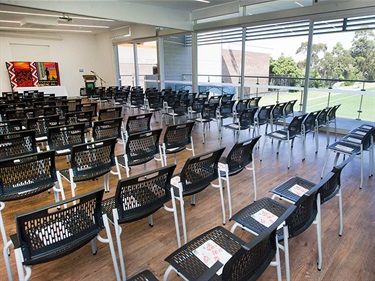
pixel 294 129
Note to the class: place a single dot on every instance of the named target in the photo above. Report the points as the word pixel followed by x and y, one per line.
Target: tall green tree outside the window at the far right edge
pixel 363 52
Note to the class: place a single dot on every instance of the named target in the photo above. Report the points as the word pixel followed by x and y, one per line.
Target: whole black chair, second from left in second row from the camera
pixel 90 161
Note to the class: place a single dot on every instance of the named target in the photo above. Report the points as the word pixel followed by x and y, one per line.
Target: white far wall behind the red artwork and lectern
pixel 72 51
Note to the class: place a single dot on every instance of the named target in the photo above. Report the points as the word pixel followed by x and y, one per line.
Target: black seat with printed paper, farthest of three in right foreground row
pixel 293 188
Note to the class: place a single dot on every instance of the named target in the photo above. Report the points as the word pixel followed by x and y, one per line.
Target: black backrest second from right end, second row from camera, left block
pixel 142 146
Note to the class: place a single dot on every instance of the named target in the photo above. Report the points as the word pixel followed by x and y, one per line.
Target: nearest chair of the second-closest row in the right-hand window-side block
pixel 246 121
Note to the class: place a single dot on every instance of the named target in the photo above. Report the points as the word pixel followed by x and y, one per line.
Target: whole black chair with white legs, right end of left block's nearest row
pixel 239 158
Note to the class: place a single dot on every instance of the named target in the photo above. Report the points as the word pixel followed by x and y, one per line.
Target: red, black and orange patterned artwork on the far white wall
pixel 33 74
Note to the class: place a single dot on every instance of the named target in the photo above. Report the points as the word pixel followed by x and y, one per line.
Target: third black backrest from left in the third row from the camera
pixel 107 128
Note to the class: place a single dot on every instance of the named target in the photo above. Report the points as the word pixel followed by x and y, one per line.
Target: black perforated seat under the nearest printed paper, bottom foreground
pixel 189 265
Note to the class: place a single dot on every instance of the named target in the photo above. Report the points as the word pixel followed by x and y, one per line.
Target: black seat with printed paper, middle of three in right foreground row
pixel 251 215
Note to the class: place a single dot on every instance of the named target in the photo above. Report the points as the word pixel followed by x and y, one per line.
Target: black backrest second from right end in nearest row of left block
pixel 200 170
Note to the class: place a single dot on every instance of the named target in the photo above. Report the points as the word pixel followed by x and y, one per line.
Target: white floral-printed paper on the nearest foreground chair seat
pixel 210 252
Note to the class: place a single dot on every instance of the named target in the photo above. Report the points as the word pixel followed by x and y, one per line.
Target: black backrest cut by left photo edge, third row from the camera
pixel 17 143
